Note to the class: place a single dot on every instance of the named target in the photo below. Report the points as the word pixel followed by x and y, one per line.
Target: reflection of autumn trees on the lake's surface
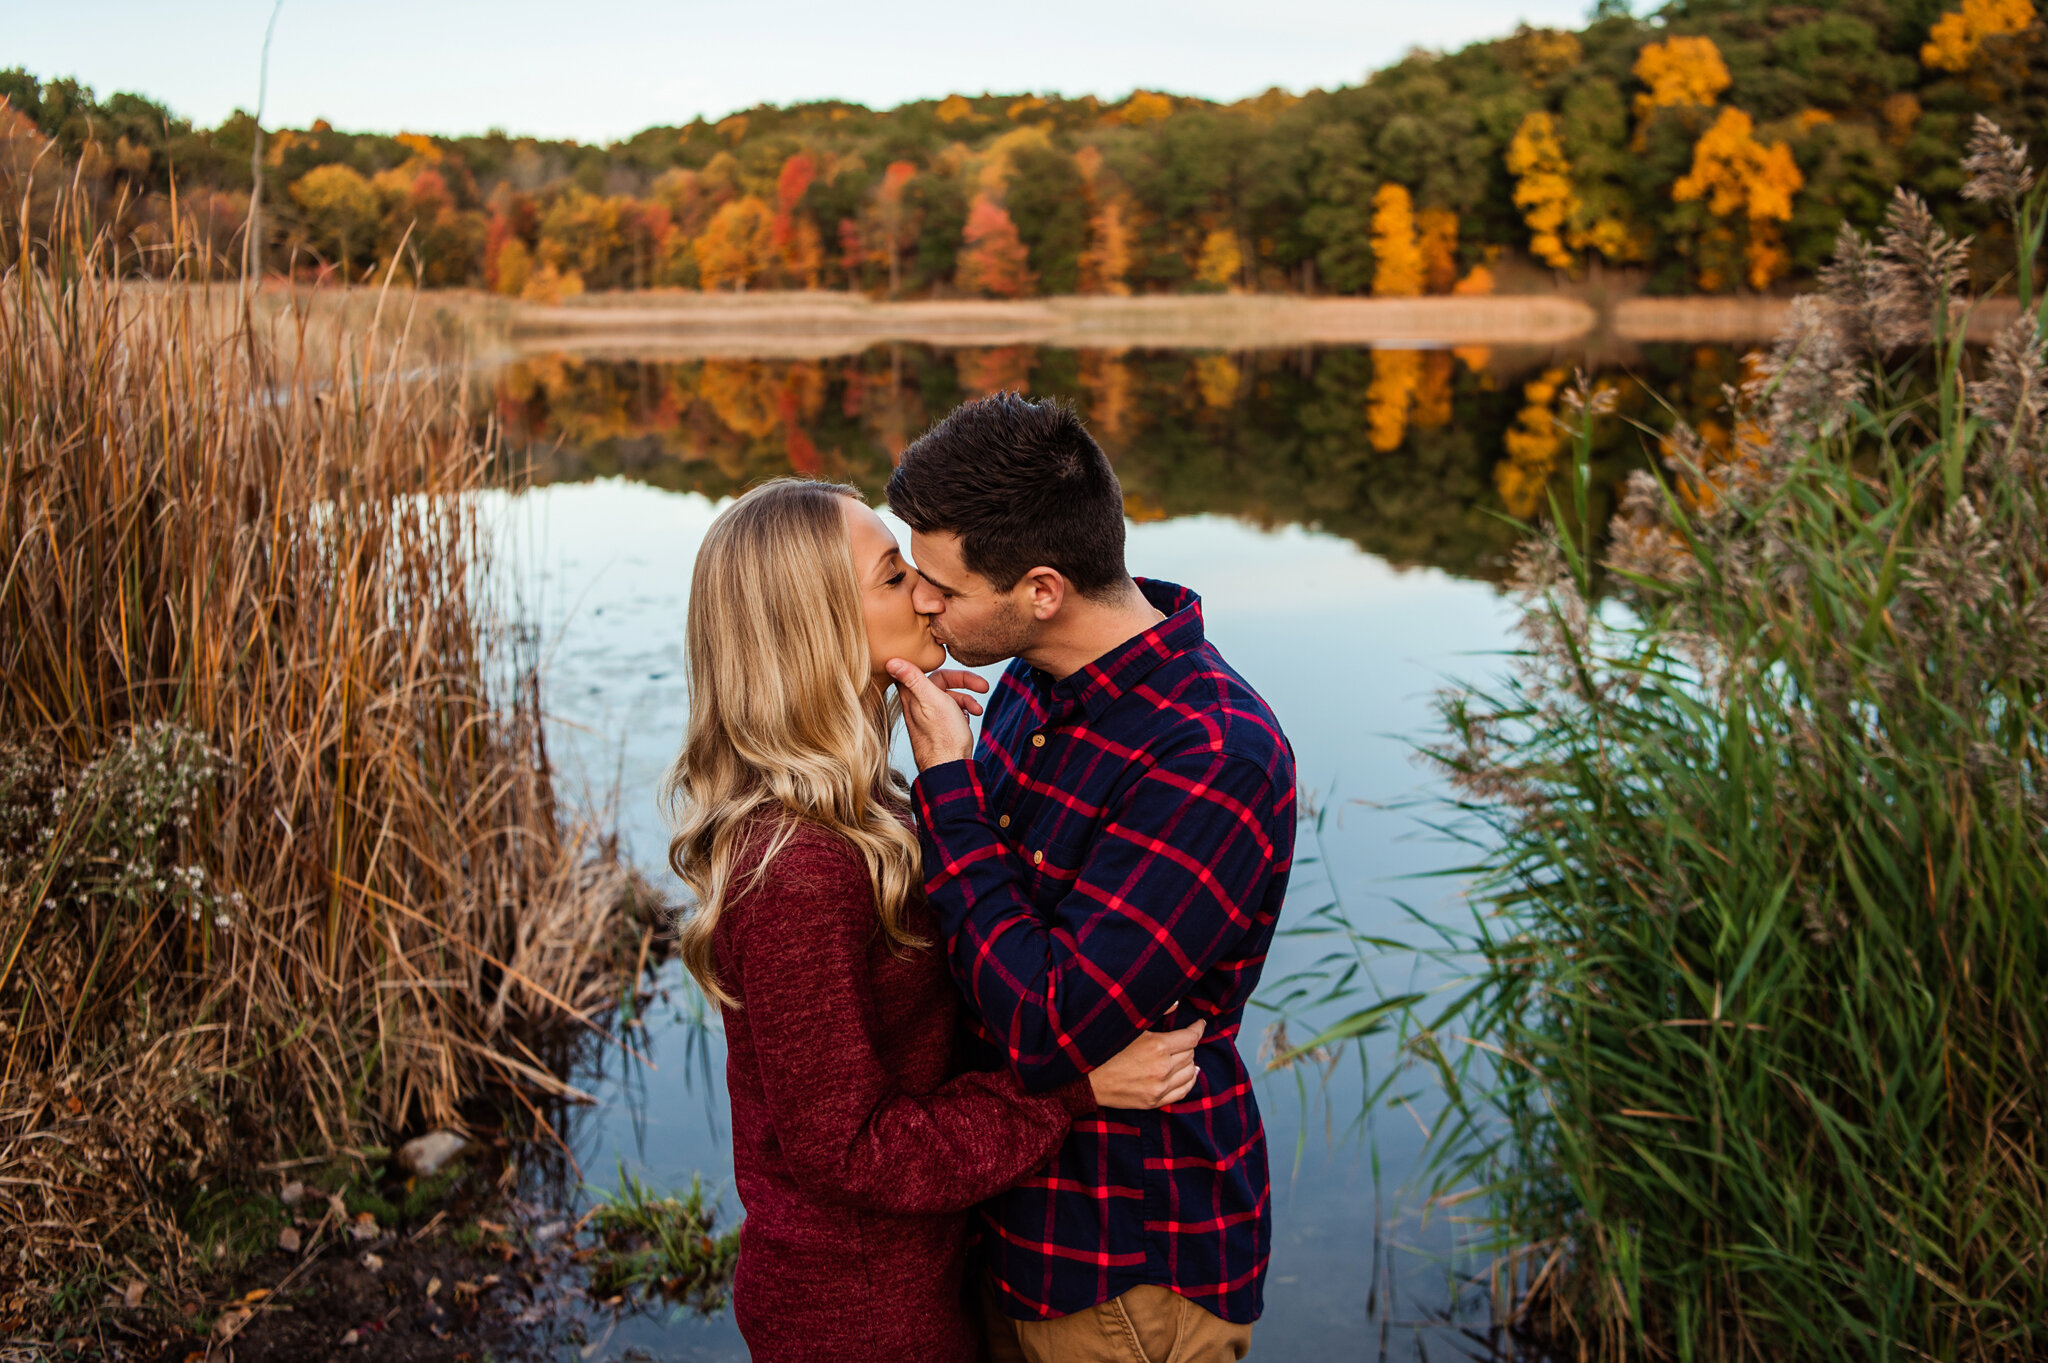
pixel 1414 455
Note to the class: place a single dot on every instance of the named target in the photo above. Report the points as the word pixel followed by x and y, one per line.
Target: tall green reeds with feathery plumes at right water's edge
pixel 1766 967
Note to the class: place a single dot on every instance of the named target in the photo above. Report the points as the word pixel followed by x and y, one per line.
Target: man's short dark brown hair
pixel 1023 484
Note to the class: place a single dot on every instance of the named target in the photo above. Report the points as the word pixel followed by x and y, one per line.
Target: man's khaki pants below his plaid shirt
pixel 1146 1325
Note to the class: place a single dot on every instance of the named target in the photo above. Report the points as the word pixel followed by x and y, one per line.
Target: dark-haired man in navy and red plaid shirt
pixel 1109 863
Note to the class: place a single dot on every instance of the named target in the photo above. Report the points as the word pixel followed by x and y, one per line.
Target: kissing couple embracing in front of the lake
pixel 982 1026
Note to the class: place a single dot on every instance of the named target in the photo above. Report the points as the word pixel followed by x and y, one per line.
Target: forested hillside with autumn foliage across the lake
pixel 1715 146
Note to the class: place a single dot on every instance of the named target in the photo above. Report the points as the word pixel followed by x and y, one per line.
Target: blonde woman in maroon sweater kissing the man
pixel 857 1145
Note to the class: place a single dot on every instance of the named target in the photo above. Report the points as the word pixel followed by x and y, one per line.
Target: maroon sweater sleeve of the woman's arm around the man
pixel 849 1131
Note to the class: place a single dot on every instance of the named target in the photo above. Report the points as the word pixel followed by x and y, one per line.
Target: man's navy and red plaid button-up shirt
pixel 1113 859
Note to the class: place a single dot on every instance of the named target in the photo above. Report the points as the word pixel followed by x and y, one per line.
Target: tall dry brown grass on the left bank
pixel 282 867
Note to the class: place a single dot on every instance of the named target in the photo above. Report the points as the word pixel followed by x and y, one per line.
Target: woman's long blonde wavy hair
pixel 785 715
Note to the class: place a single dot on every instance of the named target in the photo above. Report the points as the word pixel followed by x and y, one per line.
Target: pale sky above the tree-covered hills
pixel 607 69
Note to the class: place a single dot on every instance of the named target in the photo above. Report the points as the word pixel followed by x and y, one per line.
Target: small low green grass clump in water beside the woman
pixel 663 1243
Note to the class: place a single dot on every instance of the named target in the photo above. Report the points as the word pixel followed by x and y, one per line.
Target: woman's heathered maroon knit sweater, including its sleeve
pixel 857 1147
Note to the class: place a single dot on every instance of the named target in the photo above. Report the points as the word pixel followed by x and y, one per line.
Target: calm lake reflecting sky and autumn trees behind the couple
pixel 1340 511
